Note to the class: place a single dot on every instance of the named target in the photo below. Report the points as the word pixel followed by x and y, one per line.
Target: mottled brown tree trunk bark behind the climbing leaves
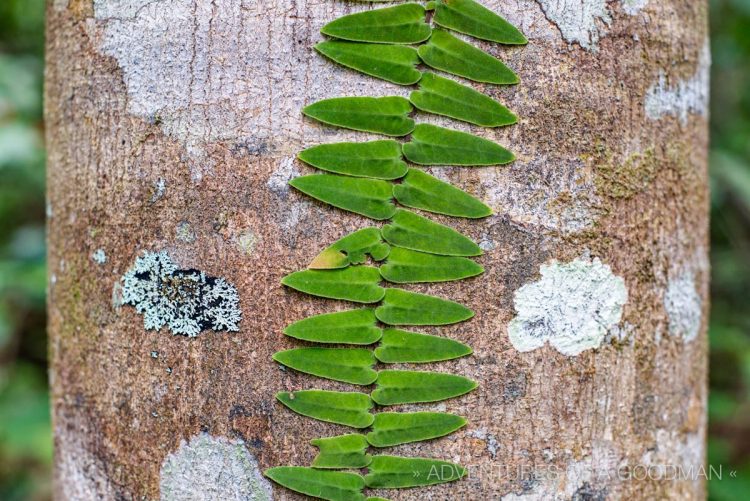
pixel 173 126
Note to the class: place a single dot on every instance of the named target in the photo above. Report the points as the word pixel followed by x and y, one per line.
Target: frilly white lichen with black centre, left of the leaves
pixel 186 301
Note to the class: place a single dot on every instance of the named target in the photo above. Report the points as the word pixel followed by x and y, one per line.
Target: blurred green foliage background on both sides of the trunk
pixel 25 436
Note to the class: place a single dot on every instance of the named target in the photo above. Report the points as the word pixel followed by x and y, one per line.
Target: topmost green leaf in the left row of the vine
pixel 402 24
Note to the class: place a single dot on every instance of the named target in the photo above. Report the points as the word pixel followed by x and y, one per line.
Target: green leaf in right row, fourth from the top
pixel 433 145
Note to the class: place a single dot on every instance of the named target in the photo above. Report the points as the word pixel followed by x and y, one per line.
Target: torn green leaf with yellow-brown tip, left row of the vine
pixel 352 249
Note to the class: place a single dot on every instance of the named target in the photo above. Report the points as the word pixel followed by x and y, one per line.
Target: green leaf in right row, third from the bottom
pixel 413 387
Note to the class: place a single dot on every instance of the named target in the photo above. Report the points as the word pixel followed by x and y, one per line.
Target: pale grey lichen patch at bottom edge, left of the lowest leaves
pixel 211 469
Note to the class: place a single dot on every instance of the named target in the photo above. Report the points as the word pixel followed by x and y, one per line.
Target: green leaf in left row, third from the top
pixel 384 115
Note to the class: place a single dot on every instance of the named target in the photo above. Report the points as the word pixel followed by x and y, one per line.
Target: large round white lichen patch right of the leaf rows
pixel 571 307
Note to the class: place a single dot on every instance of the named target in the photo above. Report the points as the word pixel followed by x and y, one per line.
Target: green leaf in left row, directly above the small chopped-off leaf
pixel 347 408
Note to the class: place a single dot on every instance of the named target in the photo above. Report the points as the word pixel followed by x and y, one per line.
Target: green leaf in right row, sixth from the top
pixel 412 231
